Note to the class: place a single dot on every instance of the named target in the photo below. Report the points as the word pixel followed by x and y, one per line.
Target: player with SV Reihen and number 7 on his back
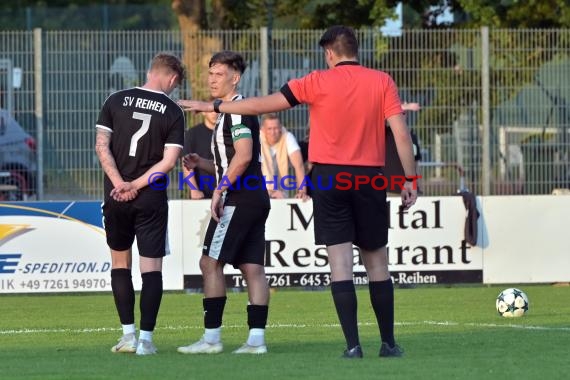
pixel 140 131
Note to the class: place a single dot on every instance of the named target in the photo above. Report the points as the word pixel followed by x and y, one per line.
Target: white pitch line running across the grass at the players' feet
pixel 292 326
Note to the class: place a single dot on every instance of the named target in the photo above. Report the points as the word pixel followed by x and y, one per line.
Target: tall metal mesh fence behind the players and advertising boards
pixel 494 102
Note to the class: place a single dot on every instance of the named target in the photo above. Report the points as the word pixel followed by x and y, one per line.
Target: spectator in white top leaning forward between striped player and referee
pixel 279 148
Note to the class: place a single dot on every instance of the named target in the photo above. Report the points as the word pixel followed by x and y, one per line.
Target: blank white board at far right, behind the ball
pixel 525 239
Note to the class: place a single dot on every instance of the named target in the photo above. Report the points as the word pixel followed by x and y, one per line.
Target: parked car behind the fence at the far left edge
pixel 18 158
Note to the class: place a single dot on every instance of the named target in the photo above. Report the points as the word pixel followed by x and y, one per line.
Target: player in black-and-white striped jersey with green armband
pixel 240 206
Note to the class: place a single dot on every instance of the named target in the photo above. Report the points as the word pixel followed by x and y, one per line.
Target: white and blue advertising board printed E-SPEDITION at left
pixel 61 247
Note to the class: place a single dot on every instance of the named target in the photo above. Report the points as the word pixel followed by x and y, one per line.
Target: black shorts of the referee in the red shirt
pixel 345 214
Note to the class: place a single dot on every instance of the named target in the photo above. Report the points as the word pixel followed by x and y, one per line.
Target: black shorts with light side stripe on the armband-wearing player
pixel 239 238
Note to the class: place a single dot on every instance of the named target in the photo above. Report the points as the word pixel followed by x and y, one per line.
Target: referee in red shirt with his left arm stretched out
pixel 348 105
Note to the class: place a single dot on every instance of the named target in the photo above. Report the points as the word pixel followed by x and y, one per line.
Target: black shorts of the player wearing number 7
pixel 146 218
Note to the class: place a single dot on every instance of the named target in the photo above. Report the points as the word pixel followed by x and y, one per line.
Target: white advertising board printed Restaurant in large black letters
pixel 426 245
